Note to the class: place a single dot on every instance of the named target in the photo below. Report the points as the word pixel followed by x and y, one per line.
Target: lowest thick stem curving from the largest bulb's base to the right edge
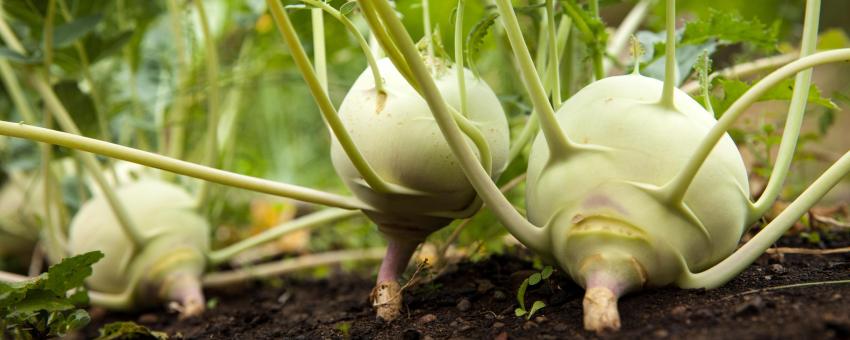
pixel 749 252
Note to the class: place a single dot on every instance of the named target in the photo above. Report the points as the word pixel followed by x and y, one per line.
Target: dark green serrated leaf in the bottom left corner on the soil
pixel 41 307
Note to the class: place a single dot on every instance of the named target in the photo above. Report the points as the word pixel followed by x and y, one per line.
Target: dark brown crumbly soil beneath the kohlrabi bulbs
pixel 477 300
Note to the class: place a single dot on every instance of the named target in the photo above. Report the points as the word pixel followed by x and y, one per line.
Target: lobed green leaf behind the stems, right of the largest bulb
pixel 733 89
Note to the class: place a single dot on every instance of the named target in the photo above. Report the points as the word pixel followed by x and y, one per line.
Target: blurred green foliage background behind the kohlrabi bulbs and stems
pixel 120 57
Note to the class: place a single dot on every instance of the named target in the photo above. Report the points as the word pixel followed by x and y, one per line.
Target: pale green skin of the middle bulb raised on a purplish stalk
pixel 404 145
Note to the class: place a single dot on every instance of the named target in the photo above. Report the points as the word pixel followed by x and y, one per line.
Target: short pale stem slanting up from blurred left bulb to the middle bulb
pixel 310 221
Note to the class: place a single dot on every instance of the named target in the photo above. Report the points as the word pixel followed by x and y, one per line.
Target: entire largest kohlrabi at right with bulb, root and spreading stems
pixel 633 184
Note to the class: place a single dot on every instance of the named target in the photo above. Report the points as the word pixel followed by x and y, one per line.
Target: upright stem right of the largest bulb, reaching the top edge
pixel 796 111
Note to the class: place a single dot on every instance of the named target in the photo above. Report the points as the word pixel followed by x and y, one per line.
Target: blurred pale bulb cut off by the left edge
pixel 21 204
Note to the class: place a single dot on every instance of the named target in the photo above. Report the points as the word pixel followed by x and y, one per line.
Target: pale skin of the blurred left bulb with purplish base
pixel 176 238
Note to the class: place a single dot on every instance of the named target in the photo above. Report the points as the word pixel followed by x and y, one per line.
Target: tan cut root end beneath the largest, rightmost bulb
pixel 600 310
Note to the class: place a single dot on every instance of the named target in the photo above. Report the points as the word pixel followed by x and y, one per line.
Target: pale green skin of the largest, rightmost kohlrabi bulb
pixel 603 202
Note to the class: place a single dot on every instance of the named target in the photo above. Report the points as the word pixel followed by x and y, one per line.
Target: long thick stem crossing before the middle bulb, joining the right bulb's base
pixel 529 234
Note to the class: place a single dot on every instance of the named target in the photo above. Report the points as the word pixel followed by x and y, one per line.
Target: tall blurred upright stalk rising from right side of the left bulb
pixel 211 156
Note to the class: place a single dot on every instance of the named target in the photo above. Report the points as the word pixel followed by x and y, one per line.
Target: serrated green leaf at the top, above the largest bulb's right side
pixel 730 28
